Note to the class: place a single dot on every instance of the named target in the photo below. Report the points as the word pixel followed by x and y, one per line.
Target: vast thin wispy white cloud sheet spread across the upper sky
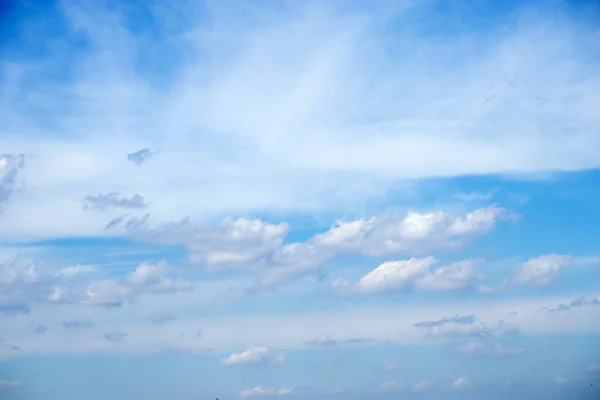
pixel 305 111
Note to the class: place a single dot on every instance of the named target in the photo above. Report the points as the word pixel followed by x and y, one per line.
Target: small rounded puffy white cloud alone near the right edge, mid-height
pixel 542 270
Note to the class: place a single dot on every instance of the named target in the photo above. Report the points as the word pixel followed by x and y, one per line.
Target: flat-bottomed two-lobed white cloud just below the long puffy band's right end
pixel 415 274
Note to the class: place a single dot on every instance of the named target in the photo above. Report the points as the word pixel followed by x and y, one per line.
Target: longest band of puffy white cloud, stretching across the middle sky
pixel 257 245
